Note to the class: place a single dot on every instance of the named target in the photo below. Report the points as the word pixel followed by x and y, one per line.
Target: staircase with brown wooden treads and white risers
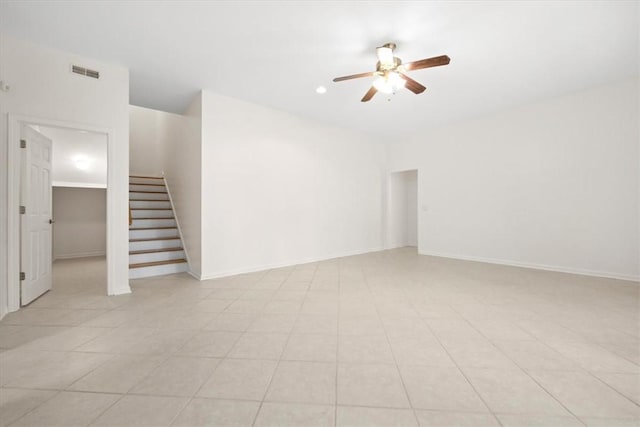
pixel 155 247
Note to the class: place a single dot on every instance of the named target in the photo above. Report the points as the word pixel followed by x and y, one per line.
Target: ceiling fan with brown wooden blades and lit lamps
pixel 390 72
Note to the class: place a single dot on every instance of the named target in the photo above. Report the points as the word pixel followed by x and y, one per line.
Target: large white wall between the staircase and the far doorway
pixel 278 189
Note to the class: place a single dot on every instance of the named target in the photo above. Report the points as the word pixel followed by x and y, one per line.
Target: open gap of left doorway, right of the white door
pixel 79 198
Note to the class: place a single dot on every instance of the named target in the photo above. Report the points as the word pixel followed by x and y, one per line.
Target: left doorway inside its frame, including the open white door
pixel 63 192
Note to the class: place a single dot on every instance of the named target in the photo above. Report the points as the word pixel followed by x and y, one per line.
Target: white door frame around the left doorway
pixel 13 201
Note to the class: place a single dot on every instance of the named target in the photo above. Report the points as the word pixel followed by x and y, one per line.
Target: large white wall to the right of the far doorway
pixel 551 185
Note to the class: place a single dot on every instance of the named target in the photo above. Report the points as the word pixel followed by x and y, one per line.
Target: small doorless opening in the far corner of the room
pixel 402 210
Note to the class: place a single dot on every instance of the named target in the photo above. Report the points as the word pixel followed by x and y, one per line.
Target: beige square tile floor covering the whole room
pixel 386 338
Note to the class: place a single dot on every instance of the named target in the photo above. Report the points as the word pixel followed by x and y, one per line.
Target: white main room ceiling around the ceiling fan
pixel 276 53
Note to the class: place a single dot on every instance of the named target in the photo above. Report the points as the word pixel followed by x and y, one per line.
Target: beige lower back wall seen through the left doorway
pixel 80 227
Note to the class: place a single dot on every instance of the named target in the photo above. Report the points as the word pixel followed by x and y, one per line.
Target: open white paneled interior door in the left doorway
pixel 35 260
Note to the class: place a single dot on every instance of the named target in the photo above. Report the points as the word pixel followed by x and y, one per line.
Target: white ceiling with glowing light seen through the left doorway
pixel 79 159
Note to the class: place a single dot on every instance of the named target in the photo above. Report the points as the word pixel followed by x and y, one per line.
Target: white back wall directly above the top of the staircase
pixel 146 146
